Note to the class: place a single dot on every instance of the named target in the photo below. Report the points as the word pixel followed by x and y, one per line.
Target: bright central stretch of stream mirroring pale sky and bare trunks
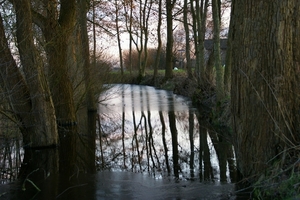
pixel 148 130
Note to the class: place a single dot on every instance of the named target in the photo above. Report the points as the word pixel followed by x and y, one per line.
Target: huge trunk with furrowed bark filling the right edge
pixel 265 85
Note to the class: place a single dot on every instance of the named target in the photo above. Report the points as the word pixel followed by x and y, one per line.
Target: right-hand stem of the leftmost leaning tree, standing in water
pixel 42 110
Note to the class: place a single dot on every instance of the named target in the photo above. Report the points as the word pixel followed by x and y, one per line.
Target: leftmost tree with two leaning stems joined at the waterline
pixel 29 98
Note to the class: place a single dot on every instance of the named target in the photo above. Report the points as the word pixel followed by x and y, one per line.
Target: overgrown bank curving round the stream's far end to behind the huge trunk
pixel 215 117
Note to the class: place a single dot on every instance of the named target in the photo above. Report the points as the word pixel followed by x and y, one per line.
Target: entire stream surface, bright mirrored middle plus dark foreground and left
pixel 150 144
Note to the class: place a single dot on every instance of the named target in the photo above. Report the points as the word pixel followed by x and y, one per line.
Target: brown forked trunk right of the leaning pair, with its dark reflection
pixel 57 31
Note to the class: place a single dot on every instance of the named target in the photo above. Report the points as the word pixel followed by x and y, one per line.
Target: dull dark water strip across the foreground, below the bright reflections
pixel 119 185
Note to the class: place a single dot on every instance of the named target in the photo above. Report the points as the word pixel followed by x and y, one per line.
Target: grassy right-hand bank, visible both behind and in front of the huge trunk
pixel 218 119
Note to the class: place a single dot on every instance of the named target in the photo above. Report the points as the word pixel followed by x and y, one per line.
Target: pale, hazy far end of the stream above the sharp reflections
pixel 141 98
